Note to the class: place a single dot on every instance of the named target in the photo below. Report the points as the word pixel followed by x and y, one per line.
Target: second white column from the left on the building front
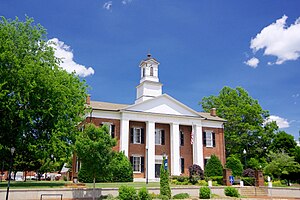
pixel 150 145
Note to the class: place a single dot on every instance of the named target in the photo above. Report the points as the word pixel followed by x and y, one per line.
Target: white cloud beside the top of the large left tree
pixel 64 52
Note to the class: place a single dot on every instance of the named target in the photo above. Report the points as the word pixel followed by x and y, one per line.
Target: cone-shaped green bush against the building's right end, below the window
pixel 213 167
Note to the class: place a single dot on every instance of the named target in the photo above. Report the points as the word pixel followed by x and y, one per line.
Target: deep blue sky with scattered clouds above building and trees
pixel 202 46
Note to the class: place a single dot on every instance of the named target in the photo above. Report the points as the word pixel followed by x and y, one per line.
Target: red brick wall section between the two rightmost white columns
pixel 186 151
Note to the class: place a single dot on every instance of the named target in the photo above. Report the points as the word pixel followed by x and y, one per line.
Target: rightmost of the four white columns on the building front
pixel 198 146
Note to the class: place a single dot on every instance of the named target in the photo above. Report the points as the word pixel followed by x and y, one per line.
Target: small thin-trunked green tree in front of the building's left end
pixel 94 149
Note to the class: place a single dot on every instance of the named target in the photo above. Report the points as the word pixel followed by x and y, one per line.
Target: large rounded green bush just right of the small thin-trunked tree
pixel 121 168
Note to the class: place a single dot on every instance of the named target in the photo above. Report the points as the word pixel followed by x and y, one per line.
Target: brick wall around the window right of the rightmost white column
pixel 219 149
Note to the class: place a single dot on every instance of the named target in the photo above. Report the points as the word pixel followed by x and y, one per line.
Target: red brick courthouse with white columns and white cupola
pixel 158 125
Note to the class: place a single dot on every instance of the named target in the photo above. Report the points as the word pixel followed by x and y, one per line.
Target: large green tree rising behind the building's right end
pixel 245 122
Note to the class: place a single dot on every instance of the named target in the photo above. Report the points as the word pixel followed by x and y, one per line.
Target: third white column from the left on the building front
pixel 175 149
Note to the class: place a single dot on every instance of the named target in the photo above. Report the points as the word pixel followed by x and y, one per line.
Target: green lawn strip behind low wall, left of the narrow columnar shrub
pixel 61 184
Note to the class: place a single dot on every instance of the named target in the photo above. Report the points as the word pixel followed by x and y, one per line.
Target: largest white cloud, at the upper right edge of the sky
pixel 279 40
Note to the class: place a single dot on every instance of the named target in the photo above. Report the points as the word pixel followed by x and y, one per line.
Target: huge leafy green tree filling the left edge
pixel 40 103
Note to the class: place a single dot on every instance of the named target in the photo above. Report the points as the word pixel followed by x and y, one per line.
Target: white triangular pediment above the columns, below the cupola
pixel 163 104
